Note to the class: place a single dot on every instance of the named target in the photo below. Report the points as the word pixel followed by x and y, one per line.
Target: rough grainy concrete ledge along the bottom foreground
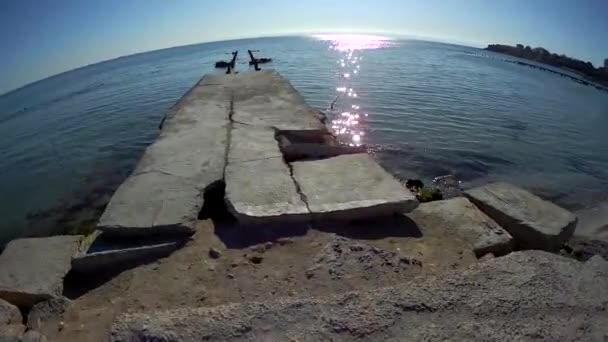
pixel 531 295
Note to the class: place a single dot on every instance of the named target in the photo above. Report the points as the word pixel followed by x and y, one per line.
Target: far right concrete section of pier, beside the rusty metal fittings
pixel 268 100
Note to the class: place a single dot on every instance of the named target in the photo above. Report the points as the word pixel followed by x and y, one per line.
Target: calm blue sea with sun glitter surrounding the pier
pixel 424 109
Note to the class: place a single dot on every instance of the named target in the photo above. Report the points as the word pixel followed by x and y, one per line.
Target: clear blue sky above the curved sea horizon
pixel 45 37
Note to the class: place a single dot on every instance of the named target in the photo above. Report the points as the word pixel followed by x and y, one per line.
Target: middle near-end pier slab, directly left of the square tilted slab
pixel 262 191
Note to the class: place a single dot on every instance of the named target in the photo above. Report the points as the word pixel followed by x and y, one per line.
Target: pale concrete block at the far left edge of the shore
pixel 32 270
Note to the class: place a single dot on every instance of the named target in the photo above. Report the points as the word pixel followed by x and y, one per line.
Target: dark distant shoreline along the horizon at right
pixel 540 55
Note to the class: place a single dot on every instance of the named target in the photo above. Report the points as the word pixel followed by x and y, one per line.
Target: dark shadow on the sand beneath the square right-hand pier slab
pixel 373 229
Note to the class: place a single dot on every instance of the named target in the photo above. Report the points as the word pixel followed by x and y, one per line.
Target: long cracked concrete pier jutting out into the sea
pixel 225 129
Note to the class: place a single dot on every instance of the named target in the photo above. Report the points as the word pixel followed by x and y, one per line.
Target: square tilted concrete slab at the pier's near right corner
pixel 351 187
